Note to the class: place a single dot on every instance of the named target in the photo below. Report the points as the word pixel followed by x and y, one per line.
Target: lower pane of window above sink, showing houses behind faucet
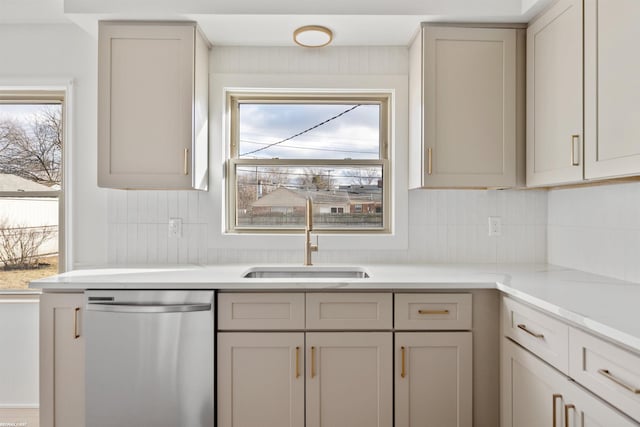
pixel 343 197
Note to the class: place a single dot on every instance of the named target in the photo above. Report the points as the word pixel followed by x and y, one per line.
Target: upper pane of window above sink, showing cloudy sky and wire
pixel 309 131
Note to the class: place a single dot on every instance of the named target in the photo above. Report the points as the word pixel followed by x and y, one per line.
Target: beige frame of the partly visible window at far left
pixel 46 97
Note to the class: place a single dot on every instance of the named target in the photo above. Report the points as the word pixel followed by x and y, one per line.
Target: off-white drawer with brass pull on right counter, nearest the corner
pixel 539 333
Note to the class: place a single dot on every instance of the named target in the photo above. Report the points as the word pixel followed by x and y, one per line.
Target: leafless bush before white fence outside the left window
pixel 19 245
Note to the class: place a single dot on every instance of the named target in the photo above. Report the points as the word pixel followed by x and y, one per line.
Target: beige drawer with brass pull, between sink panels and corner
pixel 433 311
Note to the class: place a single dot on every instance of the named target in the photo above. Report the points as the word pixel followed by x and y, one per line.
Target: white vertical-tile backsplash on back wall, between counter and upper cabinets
pixel 446 226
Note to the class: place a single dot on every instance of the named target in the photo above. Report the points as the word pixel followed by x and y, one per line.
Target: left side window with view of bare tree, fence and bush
pixel 31 144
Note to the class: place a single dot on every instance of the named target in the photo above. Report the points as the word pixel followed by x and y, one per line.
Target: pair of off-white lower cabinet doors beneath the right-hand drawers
pixel 536 395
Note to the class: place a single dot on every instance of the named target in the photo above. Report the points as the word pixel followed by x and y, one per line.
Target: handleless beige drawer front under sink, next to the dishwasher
pixel 256 311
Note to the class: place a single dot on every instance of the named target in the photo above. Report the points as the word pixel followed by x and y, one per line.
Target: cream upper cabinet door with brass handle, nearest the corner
pixel 554 96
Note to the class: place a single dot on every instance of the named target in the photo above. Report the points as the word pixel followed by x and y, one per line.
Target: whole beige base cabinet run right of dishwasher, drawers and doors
pixel 340 366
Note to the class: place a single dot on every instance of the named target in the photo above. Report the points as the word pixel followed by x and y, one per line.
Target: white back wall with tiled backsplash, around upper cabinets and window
pixel 114 226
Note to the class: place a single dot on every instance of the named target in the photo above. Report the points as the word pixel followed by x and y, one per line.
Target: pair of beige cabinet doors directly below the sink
pixel 262 378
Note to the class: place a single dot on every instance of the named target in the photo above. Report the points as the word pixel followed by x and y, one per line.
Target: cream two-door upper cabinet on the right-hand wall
pixel 562 85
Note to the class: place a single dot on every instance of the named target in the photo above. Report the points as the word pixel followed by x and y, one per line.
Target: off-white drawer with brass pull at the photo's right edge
pixel 607 370
